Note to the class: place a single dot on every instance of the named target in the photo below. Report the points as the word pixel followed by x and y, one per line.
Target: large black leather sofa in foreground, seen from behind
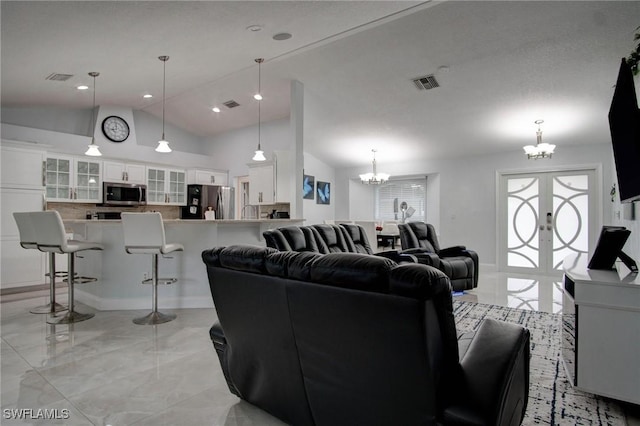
pixel 353 339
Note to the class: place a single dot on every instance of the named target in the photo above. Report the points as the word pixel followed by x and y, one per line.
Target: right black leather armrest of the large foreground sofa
pixel 495 371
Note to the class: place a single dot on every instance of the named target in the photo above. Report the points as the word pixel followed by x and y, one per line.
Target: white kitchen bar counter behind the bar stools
pixel 120 274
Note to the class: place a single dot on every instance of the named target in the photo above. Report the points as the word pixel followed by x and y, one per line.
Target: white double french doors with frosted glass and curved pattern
pixel 544 217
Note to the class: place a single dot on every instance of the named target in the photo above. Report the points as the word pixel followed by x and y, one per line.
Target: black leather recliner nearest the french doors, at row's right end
pixel 458 263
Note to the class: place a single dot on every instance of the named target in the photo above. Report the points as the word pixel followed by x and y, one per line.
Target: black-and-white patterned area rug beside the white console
pixel 552 399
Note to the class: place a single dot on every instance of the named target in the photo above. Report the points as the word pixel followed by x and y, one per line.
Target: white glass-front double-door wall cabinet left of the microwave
pixel 72 179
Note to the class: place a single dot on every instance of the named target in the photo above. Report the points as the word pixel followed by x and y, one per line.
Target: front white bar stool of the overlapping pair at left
pixel 52 239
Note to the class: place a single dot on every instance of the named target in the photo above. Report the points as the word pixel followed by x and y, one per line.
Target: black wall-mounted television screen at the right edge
pixel 624 123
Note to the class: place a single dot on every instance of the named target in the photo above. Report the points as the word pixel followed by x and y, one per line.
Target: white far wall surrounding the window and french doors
pixel 467 199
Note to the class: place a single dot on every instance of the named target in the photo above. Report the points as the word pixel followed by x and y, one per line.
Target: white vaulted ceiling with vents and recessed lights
pixel 510 63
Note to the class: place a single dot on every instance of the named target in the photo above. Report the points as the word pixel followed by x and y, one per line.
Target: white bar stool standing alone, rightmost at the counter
pixel 144 234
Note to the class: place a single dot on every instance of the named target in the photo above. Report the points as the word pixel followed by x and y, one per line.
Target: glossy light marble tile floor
pixel 109 371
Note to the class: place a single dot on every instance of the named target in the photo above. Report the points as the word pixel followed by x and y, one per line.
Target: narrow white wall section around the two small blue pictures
pixel 313 212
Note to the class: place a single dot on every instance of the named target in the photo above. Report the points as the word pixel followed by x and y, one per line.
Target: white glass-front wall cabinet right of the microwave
pixel 166 186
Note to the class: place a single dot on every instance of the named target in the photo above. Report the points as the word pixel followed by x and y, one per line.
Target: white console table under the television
pixel 601 329
